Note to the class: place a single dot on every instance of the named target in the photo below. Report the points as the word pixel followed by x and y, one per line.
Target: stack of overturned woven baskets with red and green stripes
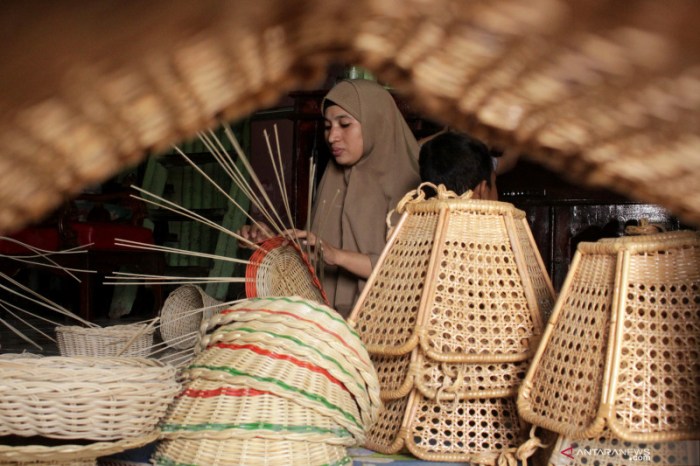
pixel 276 380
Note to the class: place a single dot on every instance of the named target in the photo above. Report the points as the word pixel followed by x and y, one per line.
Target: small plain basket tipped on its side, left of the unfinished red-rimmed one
pixel 182 314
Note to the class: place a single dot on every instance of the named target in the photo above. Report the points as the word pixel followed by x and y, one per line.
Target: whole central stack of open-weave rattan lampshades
pixel 451 316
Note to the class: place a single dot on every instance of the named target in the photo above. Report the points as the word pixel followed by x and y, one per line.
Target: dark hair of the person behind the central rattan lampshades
pixel 456 160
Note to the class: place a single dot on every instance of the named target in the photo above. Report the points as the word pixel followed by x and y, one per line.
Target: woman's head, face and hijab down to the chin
pixel 361 115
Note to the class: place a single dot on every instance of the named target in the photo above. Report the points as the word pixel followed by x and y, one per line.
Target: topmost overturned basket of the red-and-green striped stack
pixel 298 313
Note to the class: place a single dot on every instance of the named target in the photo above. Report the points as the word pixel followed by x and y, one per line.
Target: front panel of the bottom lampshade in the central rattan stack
pixel 471 430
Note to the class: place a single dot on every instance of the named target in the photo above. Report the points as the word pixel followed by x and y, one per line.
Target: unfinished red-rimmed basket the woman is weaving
pixel 279 268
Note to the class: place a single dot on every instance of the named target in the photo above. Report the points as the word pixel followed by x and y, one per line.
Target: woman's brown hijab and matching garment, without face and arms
pixel 367 191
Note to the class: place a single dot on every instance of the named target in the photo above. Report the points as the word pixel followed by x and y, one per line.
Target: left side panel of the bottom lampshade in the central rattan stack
pixel 387 435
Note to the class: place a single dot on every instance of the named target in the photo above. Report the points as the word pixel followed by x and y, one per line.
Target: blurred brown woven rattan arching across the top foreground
pixel 605 92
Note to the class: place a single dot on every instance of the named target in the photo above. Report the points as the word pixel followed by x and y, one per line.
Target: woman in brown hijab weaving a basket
pixel 375 162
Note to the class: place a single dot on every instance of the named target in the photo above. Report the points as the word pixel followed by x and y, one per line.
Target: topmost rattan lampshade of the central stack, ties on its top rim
pixel 462 278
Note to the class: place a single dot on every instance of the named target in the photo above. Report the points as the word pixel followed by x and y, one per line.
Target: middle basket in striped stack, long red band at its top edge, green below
pixel 288 377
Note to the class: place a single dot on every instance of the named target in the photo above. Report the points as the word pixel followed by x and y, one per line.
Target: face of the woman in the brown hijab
pixel 344 136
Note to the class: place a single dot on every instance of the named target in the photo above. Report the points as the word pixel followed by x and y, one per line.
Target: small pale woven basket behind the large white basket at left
pixel 115 340
